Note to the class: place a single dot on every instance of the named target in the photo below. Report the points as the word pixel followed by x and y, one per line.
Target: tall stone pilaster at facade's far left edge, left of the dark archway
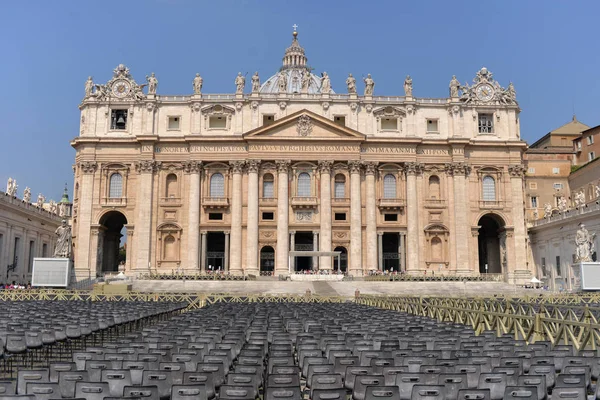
pixel 83 268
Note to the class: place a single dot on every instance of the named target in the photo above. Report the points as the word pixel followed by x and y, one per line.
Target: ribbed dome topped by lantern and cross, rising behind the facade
pixel 294 75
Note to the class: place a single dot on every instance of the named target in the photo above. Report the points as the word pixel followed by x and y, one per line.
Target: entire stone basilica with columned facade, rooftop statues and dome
pixel 239 180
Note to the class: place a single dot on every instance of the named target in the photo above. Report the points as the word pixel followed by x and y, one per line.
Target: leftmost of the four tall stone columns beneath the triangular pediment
pixel 252 223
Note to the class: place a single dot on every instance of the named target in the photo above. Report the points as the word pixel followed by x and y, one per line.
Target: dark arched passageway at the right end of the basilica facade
pixel 491 244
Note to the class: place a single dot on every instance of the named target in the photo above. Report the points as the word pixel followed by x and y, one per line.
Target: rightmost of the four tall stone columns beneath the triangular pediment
pixel 355 219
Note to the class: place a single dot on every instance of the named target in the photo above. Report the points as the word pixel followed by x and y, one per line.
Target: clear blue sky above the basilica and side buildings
pixel 549 49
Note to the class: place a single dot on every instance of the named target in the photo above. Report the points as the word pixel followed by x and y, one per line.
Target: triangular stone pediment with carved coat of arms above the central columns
pixel 304 125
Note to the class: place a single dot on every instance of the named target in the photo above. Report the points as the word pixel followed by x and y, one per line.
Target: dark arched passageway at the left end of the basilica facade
pixel 112 251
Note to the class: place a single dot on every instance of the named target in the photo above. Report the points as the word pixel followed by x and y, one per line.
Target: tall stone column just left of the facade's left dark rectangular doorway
pixel 193 168
